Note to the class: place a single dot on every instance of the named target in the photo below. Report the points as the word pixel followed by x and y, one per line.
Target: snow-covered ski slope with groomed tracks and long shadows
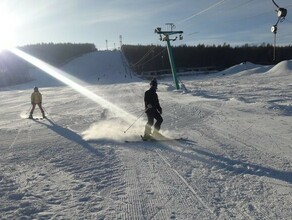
pixel 235 164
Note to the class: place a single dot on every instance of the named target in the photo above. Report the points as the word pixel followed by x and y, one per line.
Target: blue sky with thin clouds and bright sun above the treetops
pixel 234 22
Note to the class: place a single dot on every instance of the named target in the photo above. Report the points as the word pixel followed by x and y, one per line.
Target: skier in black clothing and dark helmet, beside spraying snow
pixel 153 111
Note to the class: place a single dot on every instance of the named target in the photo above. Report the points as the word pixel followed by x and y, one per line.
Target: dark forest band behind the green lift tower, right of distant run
pixel 155 57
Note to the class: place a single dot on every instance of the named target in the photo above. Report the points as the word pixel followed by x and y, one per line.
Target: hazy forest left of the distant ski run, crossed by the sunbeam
pixel 14 70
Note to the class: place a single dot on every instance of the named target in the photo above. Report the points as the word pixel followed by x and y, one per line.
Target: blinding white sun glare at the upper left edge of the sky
pixel 7 27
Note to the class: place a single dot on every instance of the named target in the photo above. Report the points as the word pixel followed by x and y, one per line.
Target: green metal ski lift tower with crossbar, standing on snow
pixel 165 36
